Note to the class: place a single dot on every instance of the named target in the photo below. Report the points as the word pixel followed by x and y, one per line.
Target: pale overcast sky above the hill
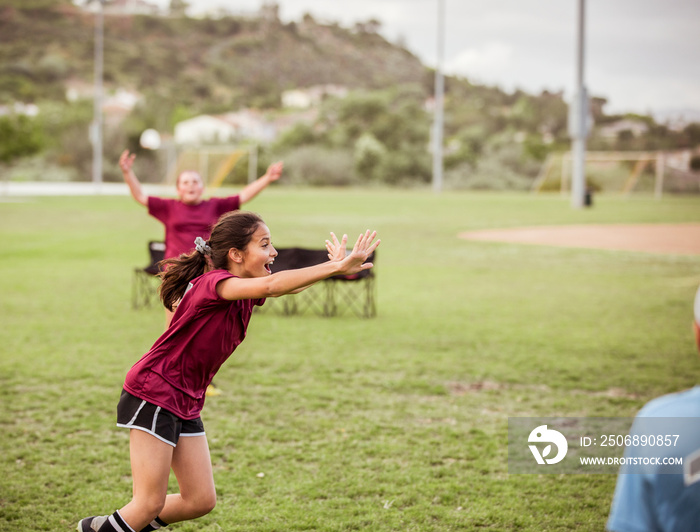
pixel 642 55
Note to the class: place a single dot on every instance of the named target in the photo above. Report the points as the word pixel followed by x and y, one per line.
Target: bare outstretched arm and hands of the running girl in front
pixel 287 281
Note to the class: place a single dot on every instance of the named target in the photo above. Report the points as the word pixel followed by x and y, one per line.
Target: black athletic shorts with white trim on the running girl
pixel 135 413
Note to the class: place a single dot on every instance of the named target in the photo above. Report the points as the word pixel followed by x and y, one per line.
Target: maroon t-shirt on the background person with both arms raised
pixel 183 223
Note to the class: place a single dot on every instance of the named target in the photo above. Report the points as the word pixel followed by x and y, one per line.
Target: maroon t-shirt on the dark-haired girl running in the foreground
pixel 205 330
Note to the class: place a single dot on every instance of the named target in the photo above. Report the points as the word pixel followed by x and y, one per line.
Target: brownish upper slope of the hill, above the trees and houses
pixel 194 61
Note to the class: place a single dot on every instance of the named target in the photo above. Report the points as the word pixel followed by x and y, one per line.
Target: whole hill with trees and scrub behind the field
pixel 183 67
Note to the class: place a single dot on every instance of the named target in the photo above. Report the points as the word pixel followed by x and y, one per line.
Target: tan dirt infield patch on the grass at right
pixel 677 239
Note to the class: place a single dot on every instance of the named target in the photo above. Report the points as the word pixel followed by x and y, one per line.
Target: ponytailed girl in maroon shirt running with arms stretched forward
pixel 217 285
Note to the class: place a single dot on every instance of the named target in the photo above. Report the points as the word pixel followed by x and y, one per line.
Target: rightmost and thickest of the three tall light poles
pixel 578 119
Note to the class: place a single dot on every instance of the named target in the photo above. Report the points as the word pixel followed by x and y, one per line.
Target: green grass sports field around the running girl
pixel 392 423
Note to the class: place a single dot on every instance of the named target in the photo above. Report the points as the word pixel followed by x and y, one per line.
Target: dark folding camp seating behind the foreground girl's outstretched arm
pixel 332 297
